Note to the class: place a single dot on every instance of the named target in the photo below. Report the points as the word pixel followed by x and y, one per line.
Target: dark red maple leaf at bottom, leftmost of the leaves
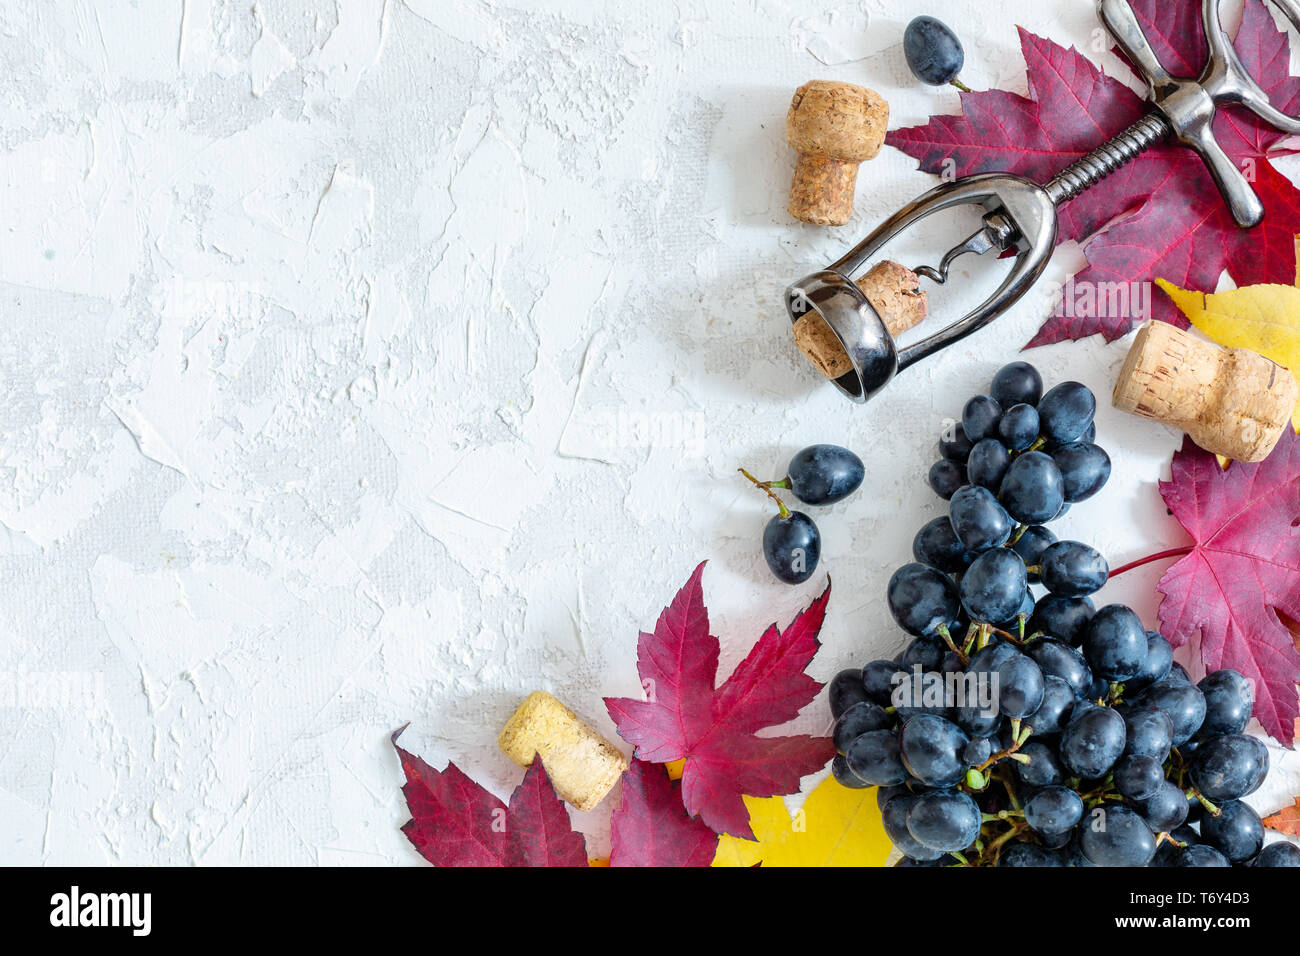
pixel 456 823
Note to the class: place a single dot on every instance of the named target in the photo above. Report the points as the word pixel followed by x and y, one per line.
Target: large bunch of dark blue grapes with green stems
pixel 1022 732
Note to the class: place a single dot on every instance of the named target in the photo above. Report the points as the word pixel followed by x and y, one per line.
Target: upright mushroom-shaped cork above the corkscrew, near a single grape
pixel 834 128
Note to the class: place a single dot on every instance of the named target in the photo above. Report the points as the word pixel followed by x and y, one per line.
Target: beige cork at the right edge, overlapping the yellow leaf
pixel 1233 403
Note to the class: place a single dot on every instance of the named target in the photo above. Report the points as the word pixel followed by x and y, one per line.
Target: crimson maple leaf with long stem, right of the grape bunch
pixel 1243 570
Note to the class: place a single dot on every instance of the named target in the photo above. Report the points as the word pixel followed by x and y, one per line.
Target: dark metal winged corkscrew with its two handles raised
pixel 1022 215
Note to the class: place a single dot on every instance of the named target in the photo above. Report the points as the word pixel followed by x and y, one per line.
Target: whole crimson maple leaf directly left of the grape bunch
pixel 714 728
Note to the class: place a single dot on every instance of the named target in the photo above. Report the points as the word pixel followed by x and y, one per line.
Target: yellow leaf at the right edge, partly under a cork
pixel 1262 318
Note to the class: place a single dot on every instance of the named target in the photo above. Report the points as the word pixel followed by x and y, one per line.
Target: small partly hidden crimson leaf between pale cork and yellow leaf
pixel 652 827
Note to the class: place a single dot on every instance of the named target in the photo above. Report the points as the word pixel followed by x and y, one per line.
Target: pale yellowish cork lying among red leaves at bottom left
pixel 583 765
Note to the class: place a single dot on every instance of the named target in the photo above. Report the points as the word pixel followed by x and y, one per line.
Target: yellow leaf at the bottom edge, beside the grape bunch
pixel 837 827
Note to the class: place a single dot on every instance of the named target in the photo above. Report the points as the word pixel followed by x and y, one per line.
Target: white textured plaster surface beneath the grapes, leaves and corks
pixel 378 362
